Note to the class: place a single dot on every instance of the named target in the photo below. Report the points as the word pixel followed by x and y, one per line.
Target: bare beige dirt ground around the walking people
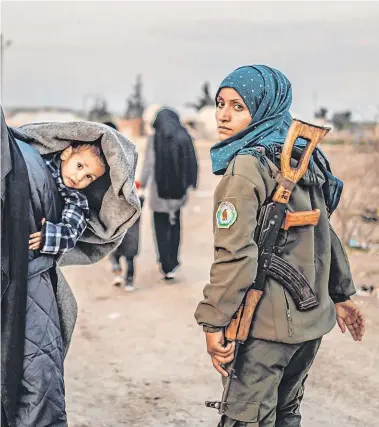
pixel 138 359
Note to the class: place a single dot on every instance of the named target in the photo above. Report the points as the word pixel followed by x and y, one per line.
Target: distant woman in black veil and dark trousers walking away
pixel 170 165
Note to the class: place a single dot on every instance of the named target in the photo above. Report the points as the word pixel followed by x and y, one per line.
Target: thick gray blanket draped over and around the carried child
pixel 113 199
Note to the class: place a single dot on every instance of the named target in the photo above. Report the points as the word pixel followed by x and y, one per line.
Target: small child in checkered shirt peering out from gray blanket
pixel 73 169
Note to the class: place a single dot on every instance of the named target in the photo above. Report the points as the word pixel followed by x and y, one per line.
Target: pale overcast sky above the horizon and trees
pixel 62 52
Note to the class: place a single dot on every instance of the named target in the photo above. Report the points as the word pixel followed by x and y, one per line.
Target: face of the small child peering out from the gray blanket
pixel 80 168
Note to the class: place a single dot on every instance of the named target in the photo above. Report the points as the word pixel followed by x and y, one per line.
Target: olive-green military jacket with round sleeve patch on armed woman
pixel 315 251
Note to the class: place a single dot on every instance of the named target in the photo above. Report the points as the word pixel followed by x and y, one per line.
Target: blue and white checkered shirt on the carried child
pixel 60 238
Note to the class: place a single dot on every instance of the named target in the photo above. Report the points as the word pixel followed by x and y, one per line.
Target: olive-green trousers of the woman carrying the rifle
pixel 270 384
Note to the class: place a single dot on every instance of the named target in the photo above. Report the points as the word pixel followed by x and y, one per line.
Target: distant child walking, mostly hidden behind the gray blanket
pixel 128 249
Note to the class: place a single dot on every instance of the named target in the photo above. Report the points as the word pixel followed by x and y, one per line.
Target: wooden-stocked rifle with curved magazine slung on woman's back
pixel 272 218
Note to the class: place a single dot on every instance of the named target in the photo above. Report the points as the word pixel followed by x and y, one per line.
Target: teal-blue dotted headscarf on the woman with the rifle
pixel 267 93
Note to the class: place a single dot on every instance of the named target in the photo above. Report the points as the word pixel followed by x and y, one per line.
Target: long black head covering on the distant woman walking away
pixel 175 157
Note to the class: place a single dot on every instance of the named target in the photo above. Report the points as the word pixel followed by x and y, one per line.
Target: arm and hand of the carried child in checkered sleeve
pixel 60 238
